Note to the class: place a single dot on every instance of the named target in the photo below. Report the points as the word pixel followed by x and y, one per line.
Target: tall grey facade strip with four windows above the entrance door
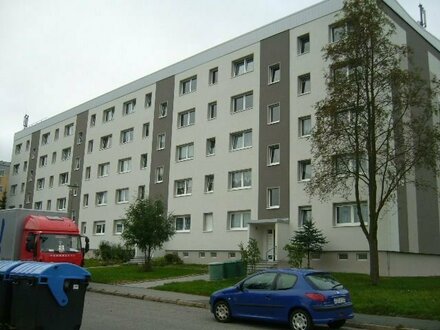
pixel 274 51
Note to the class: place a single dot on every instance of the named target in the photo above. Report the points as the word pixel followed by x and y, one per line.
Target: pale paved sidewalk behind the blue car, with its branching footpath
pixel 142 290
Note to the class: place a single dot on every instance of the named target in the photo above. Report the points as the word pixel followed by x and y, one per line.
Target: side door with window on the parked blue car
pixel 253 298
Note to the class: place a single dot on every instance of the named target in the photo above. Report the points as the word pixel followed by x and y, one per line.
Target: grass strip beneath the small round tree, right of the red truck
pixel 132 273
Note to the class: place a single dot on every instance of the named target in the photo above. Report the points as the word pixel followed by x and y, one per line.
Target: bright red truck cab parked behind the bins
pixel 51 239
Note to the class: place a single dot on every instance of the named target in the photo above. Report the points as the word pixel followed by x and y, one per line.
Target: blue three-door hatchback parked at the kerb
pixel 301 297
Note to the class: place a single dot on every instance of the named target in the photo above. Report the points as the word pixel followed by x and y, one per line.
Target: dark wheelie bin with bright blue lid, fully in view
pixel 48 296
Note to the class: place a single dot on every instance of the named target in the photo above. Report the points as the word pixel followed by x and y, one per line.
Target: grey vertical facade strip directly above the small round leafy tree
pixel 164 125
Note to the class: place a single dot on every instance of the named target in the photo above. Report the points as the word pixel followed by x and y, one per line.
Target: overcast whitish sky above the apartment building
pixel 57 54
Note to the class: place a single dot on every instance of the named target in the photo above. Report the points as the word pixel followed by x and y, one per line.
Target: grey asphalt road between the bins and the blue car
pixel 106 312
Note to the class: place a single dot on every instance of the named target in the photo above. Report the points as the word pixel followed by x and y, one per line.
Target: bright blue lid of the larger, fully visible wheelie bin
pixel 51 274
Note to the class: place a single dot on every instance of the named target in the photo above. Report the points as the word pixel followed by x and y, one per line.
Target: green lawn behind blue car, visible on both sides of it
pixel 417 297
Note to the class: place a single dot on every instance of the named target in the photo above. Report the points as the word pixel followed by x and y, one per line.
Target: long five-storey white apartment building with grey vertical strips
pixel 222 138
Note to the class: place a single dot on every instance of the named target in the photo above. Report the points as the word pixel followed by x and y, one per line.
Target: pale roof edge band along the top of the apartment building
pixel 304 16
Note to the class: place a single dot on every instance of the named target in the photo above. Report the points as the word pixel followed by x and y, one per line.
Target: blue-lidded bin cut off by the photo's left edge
pixel 5 290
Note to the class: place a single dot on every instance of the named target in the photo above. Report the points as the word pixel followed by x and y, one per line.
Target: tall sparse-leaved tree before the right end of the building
pixel 376 125
